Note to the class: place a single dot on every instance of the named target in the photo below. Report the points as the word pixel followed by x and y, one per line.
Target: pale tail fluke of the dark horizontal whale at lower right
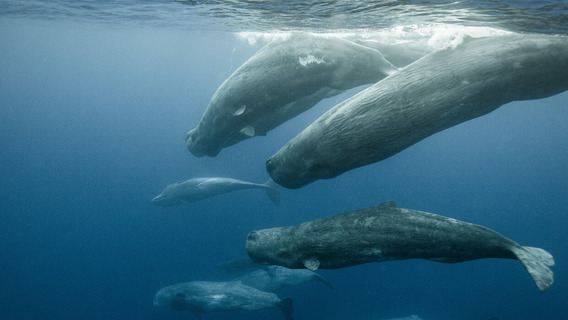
pixel 537 262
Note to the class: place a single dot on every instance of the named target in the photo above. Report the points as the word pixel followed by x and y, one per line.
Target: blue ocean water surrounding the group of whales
pixel 95 100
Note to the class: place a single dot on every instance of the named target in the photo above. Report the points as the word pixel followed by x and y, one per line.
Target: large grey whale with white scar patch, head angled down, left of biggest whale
pixel 283 79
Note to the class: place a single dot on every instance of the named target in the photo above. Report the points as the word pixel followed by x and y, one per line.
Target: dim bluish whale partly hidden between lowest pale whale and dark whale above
pixel 274 278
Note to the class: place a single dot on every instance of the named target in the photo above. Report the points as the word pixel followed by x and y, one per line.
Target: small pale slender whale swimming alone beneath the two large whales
pixel 200 188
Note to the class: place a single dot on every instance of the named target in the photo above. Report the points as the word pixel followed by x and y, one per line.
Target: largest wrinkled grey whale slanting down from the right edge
pixel 438 91
